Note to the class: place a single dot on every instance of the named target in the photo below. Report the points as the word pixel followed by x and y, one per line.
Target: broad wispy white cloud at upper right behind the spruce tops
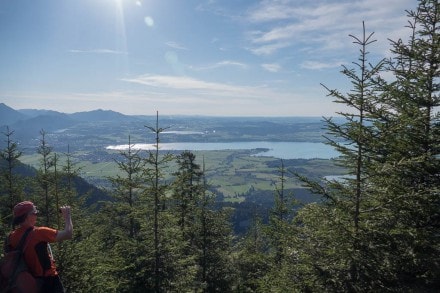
pixel 289 22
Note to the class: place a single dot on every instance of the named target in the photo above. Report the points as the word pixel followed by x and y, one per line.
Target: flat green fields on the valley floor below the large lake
pixel 229 172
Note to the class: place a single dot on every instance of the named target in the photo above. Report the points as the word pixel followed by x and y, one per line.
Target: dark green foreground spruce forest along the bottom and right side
pixel 375 230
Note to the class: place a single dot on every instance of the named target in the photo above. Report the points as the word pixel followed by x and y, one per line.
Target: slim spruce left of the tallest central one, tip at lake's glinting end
pixel 122 219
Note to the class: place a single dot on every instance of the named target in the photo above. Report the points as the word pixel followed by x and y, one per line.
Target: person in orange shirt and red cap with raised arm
pixel 37 252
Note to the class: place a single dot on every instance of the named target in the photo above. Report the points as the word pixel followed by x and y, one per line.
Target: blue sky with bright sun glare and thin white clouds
pixel 189 57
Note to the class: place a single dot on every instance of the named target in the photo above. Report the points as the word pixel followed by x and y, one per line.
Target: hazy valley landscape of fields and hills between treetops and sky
pixel 238 174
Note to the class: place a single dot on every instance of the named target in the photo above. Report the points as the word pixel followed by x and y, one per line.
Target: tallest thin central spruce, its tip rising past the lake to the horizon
pixel 169 272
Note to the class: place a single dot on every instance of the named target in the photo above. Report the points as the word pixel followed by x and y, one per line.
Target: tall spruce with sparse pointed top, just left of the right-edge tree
pixel 346 261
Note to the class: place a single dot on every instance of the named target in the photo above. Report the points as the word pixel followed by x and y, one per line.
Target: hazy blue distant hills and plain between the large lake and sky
pixel 107 127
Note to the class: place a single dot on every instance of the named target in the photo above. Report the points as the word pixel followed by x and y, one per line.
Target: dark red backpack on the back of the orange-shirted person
pixel 14 272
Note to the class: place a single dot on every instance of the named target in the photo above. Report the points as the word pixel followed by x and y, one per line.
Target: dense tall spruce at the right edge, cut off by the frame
pixel 410 167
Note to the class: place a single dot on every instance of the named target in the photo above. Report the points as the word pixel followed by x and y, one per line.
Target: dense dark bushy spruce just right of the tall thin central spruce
pixel 206 231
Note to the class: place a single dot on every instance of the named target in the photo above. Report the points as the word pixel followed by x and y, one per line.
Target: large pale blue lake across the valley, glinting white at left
pixel 282 150
